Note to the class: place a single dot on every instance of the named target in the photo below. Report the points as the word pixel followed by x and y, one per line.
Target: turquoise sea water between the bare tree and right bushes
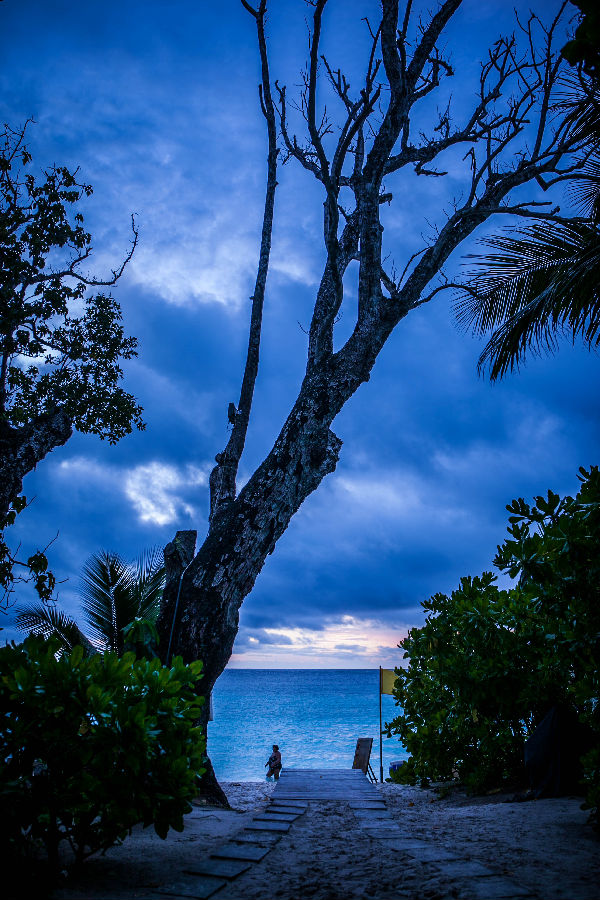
pixel 315 715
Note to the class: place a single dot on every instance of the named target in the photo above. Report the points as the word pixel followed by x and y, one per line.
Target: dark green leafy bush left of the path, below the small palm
pixel 90 746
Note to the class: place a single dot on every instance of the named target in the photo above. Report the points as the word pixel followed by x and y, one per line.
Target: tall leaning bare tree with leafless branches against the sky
pixel 510 138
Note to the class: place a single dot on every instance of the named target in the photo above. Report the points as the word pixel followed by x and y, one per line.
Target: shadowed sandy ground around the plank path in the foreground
pixel 543 847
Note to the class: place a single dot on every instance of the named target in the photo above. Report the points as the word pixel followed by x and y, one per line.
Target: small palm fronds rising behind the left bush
pixel 114 595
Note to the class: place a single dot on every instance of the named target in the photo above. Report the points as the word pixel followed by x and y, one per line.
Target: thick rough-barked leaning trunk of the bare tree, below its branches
pixel 203 594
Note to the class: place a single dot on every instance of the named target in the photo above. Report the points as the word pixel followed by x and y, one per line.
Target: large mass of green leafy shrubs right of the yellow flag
pixel 488 663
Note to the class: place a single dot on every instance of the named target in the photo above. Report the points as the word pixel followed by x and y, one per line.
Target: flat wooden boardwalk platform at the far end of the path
pixel 324 784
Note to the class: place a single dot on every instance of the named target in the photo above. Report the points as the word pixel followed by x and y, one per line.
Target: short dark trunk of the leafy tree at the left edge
pixel 21 449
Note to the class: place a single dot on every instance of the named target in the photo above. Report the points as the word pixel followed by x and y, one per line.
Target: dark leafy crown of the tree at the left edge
pixel 60 345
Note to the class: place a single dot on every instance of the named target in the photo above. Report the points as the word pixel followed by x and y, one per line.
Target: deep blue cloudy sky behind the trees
pixel 157 104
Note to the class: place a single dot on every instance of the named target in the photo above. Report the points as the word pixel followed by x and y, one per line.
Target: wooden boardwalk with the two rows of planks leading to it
pixel 295 792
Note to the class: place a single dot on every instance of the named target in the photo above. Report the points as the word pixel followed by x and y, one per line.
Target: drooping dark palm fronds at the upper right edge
pixel 543 280
